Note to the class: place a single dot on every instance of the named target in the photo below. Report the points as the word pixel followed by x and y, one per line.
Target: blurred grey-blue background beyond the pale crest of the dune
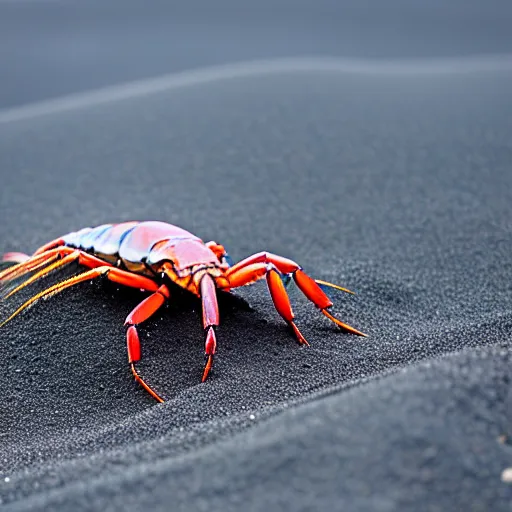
pixel 50 48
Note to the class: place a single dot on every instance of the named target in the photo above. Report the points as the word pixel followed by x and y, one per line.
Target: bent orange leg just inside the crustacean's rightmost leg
pixel 248 274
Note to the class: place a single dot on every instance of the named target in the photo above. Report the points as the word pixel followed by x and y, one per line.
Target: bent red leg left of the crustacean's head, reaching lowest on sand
pixel 140 314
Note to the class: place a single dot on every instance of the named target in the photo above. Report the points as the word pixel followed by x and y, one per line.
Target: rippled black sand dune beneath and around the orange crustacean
pixel 396 185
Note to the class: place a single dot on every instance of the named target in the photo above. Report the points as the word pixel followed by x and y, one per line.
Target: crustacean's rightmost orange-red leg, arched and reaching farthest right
pixel 306 284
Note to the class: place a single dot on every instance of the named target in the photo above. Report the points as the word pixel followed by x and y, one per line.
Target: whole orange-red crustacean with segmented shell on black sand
pixel 153 256
